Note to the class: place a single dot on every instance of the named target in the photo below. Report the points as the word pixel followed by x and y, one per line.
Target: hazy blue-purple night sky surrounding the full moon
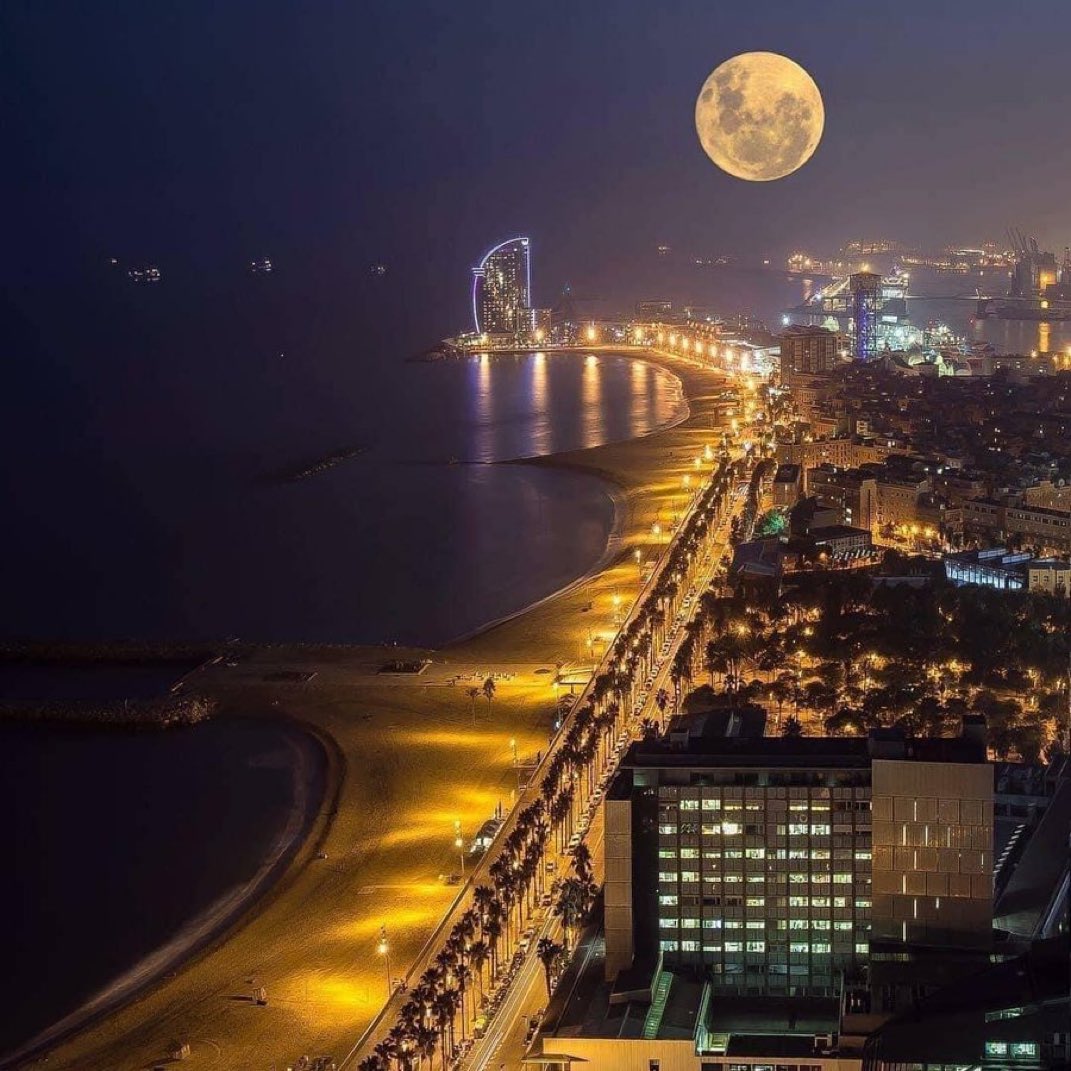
pixel 417 133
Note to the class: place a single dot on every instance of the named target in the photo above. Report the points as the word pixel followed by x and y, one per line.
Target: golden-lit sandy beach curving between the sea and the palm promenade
pixel 412 755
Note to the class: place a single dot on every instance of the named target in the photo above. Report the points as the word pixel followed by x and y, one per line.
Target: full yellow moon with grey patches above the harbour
pixel 760 116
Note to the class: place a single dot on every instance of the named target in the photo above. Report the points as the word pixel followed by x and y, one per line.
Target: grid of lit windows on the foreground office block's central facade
pixel 767 888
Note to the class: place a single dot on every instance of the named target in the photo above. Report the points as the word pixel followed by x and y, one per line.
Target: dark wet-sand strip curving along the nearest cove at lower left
pixel 318 779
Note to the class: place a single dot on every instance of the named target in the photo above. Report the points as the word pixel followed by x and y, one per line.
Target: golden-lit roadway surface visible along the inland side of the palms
pixel 505 1043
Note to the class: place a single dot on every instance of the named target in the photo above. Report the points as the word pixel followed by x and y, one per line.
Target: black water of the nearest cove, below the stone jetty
pixel 115 841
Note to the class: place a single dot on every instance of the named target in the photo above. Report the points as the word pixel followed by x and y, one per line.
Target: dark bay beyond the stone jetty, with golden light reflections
pixel 149 430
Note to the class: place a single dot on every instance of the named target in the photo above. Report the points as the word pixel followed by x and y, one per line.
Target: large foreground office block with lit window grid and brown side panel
pixel 771 863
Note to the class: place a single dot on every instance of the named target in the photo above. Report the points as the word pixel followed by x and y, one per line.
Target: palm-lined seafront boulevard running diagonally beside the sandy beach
pixel 550 831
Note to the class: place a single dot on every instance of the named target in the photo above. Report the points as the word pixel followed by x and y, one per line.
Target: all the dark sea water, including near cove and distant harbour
pixel 164 474
